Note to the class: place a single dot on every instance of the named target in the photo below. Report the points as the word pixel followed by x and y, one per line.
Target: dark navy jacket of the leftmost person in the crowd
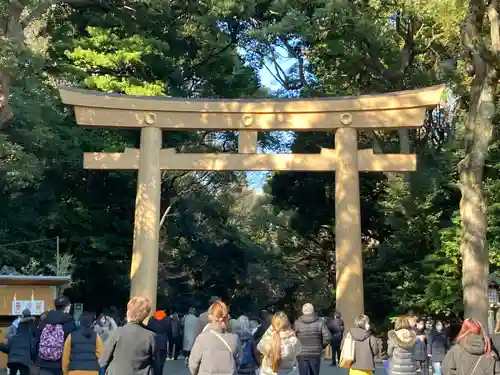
pixel 21 348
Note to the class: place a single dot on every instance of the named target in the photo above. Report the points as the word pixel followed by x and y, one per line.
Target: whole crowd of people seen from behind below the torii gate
pixel 213 343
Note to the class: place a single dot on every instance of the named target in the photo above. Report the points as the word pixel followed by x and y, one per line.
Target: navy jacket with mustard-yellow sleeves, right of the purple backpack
pixel 81 352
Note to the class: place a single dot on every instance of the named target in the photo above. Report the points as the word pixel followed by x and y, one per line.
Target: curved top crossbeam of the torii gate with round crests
pixel 404 109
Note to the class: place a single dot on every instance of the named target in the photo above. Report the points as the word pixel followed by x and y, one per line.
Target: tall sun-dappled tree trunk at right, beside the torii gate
pixel 478 135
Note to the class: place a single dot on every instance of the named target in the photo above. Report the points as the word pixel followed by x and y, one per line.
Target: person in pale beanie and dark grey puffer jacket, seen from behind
pixel 314 336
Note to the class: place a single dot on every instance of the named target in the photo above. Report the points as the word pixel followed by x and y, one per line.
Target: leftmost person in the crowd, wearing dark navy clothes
pixel 21 347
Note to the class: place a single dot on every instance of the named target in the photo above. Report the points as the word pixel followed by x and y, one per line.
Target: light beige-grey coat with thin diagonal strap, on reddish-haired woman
pixel 212 356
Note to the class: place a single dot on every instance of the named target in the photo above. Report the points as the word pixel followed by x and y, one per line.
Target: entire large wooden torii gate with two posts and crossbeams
pixel 405 109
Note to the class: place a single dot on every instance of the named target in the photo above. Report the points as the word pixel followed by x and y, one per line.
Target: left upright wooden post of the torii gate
pixel 144 269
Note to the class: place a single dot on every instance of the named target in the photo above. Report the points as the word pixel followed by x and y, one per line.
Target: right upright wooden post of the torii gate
pixel 349 272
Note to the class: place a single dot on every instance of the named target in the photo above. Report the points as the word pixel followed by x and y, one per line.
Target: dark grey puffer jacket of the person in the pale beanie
pixel 312 334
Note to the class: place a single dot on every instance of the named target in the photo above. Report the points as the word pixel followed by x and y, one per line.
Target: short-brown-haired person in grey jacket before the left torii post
pixel 131 350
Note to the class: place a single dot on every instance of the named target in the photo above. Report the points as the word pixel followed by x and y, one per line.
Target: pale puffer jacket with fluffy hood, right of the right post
pixel 400 350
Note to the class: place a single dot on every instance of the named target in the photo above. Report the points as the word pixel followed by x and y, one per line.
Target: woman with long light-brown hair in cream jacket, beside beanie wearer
pixel 279 347
